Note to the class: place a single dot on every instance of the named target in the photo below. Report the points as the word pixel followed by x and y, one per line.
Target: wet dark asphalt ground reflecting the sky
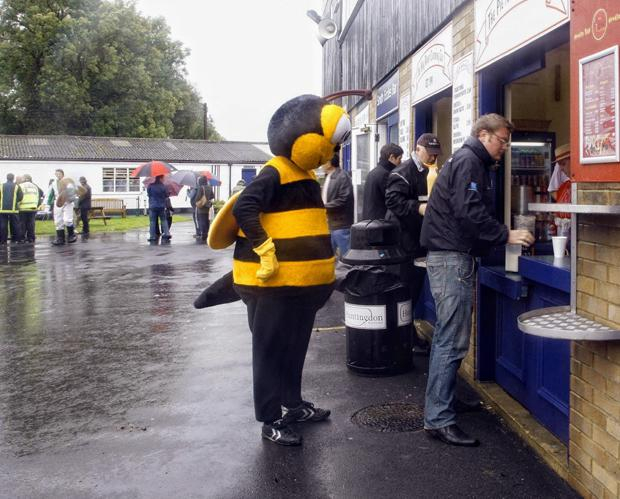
pixel 113 386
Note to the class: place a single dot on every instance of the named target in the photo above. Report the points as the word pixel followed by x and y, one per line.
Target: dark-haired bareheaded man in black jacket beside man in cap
pixel 374 189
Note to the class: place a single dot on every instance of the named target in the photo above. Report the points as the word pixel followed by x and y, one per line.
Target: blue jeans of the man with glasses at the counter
pixel 452 276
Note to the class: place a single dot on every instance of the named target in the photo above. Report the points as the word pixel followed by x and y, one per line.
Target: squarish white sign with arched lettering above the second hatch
pixel 431 66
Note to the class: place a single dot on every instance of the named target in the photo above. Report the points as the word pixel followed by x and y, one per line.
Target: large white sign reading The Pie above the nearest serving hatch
pixel 503 26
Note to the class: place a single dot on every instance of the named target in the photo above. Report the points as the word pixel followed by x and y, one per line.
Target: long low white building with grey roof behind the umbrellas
pixel 107 162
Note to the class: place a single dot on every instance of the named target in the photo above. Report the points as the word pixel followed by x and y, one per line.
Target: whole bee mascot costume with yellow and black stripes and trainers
pixel 283 263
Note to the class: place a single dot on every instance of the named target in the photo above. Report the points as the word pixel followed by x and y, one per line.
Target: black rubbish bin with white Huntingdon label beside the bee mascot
pixel 378 310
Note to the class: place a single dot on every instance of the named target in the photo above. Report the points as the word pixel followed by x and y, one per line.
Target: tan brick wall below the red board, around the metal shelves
pixel 594 450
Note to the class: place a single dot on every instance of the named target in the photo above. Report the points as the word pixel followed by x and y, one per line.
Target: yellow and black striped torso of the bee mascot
pixel 296 221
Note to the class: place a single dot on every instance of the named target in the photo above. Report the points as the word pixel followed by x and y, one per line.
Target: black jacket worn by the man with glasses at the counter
pixel 460 215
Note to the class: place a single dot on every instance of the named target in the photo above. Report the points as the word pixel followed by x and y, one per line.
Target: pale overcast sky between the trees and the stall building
pixel 247 56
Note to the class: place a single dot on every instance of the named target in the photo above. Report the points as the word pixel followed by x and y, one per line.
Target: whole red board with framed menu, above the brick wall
pixel 595 35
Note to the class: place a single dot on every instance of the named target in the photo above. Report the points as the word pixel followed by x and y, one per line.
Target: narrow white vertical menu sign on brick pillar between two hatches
pixel 462 100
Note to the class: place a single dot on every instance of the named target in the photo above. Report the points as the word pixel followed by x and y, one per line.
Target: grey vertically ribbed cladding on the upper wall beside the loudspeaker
pixel 382 34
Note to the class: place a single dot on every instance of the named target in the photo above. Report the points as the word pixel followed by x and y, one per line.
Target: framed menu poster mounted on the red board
pixel 598 101
